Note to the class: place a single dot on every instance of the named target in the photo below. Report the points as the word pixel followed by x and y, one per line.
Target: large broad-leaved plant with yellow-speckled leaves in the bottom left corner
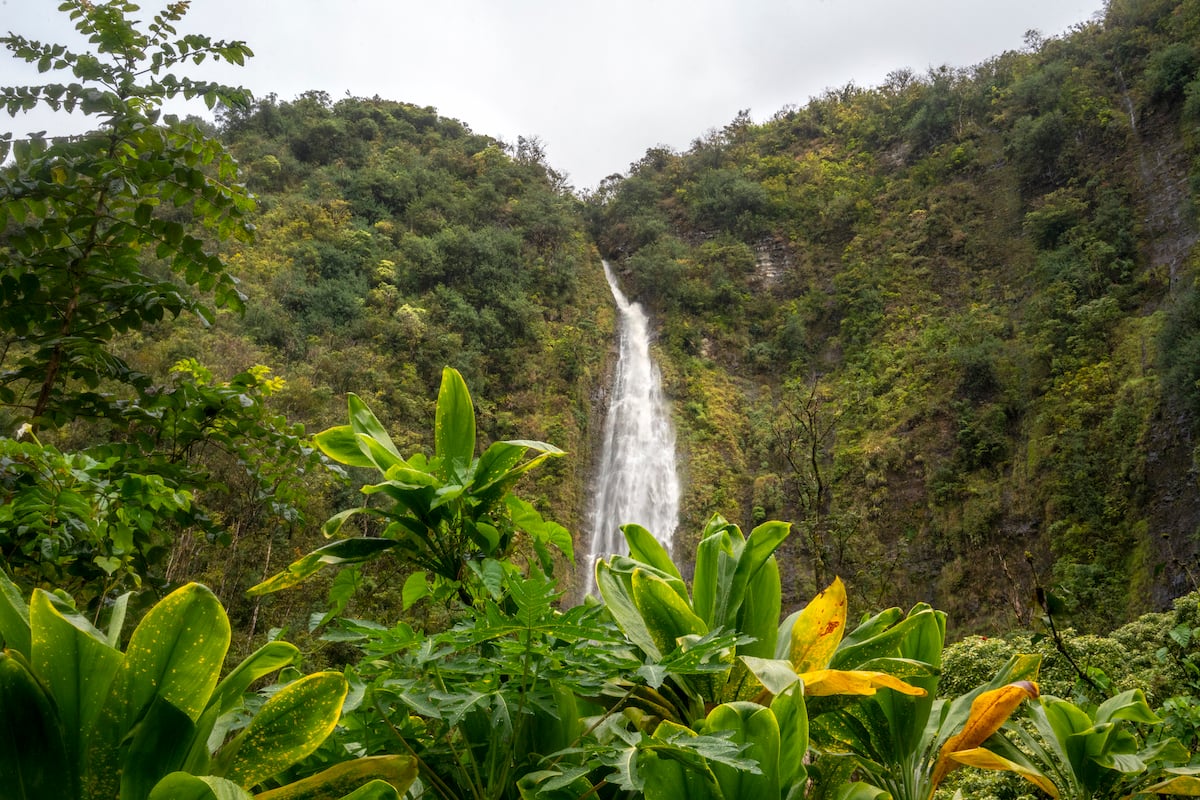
pixel 83 719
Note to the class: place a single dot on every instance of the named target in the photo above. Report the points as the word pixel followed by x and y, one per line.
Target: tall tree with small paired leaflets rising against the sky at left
pixel 103 234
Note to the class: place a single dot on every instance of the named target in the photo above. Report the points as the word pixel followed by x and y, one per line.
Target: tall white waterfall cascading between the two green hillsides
pixel 637 480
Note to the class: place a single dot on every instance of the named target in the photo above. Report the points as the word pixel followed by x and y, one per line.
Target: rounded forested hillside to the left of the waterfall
pixel 392 243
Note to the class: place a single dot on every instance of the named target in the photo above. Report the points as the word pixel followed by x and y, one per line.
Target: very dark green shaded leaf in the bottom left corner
pixel 34 762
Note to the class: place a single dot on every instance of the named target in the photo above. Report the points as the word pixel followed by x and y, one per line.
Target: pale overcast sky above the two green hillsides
pixel 599 82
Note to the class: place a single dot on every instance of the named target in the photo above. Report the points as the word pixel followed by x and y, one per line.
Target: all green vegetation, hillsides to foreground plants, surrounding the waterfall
pixel 947 317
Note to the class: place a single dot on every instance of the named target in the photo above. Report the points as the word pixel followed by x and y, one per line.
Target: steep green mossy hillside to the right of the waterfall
pixel 947 326
